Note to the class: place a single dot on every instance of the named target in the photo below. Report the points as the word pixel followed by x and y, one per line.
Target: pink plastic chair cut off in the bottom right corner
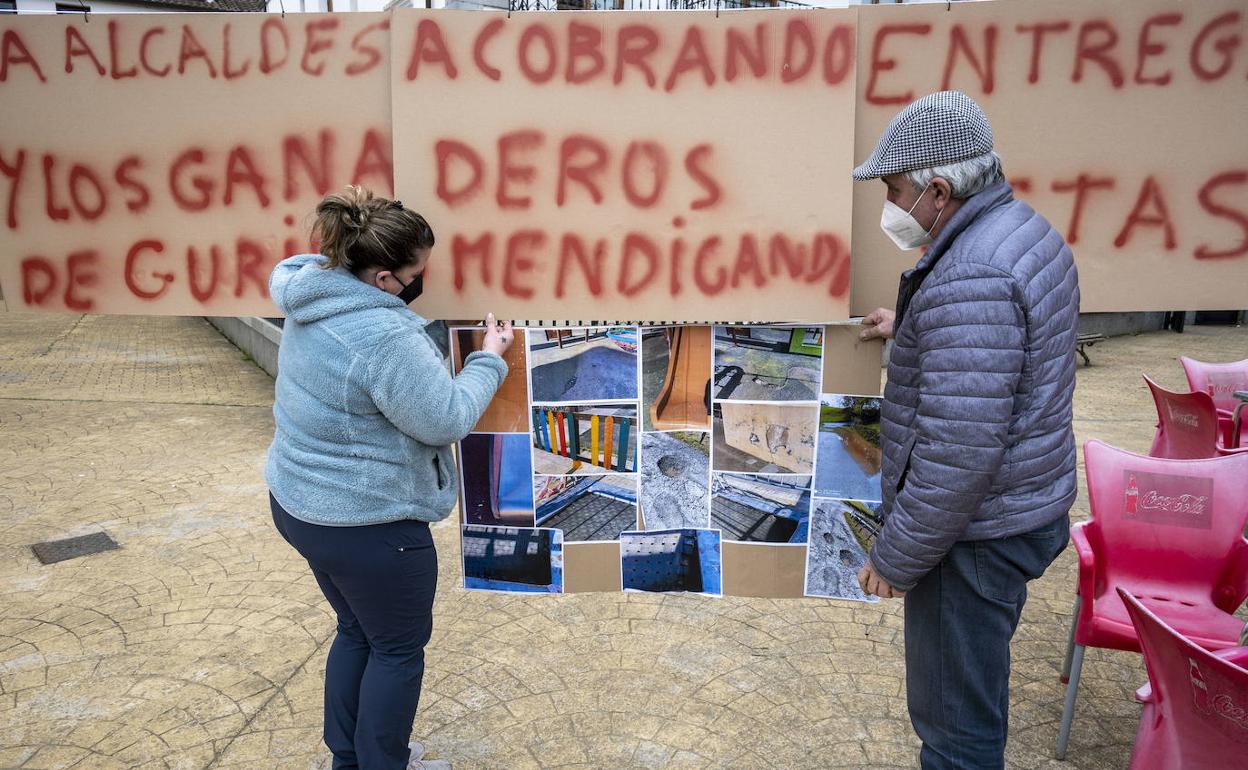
pixel 1196 704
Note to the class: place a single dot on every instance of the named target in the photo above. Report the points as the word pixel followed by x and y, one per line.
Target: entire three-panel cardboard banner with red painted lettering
pixel 630 165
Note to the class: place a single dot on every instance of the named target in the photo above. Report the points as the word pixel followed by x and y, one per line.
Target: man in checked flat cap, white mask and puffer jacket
pixel 979 455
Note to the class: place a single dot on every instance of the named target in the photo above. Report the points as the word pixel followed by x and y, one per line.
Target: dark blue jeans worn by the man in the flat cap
pixel 959 623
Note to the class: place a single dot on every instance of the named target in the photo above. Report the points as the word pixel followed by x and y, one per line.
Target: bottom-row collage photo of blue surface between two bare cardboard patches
pixel 672 561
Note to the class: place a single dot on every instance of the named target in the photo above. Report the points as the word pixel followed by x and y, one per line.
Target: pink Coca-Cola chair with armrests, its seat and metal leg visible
pixel 1169 531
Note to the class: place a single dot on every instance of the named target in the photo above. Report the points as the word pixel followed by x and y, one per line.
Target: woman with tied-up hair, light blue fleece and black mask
pixel 361 459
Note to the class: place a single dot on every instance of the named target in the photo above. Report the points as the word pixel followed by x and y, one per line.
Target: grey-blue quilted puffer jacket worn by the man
pixel 977 422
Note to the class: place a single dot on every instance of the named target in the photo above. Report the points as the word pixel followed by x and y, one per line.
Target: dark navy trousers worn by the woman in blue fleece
pixel 380 581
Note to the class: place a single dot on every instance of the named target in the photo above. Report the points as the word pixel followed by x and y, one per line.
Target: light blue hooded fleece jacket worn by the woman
pixel 366 410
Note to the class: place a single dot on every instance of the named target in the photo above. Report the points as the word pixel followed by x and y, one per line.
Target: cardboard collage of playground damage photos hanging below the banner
pixel 713 460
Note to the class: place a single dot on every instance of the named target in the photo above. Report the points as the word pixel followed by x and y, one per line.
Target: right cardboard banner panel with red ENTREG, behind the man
pixel 1120 122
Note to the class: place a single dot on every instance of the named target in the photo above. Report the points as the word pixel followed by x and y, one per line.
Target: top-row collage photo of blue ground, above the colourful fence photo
pixel 597 364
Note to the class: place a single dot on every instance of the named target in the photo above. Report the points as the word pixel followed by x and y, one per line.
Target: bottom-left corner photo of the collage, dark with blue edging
pixel 514 558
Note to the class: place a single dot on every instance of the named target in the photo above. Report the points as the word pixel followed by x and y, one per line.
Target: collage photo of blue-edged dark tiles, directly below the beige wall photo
pixel 762 509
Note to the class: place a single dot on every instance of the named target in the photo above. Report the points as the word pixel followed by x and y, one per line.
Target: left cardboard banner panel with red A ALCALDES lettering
pixel 164 164
